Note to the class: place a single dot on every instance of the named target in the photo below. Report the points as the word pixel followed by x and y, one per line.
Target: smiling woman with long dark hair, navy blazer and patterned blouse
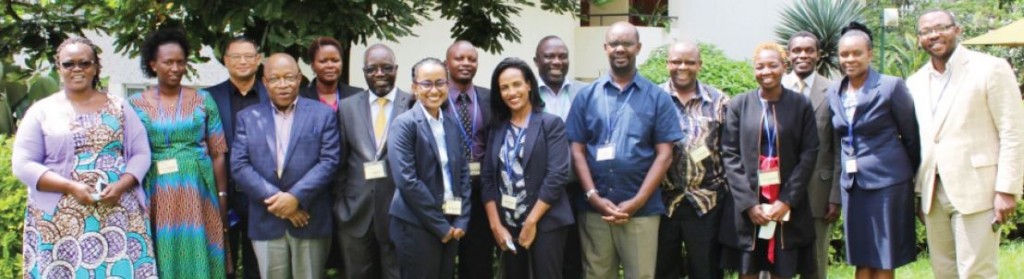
pixel 524 177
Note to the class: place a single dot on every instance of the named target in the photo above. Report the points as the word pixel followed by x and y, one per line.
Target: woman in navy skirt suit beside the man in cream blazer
pixel 875 121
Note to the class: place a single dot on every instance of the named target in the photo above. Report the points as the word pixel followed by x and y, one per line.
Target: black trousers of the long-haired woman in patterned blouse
pixel 543 261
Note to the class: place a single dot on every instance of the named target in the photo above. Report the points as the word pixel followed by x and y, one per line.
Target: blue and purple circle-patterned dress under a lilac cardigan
pixel 99 241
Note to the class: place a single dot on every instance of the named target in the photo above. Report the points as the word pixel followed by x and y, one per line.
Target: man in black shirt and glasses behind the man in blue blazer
pixel 242 58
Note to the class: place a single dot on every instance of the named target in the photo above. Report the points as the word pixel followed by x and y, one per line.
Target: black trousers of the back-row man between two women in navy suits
pixel 478 249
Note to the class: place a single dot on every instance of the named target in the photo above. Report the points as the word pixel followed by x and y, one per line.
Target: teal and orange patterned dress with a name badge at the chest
pixel 188 228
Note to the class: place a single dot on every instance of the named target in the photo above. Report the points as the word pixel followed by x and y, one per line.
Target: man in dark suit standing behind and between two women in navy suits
pixel 470 104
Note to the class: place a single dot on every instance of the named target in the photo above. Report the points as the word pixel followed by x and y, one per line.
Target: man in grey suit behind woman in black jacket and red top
pixel 823 191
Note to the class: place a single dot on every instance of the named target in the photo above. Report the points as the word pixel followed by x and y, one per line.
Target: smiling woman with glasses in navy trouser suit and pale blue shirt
pixel 431 210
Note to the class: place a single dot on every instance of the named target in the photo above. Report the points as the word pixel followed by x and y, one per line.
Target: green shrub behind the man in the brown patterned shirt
pixel 733 77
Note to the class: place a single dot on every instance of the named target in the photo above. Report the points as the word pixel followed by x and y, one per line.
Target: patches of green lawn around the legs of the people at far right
pixel 1011 265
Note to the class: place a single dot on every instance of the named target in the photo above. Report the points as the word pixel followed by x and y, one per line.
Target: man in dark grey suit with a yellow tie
pixel 364 192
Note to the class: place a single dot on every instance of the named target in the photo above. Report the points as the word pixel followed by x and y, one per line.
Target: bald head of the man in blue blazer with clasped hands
pixel 281 75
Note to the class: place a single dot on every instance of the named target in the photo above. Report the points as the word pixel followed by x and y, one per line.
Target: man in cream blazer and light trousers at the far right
pixel 972 169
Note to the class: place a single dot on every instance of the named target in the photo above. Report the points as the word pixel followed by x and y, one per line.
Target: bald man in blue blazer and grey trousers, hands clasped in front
pixel 284 157
